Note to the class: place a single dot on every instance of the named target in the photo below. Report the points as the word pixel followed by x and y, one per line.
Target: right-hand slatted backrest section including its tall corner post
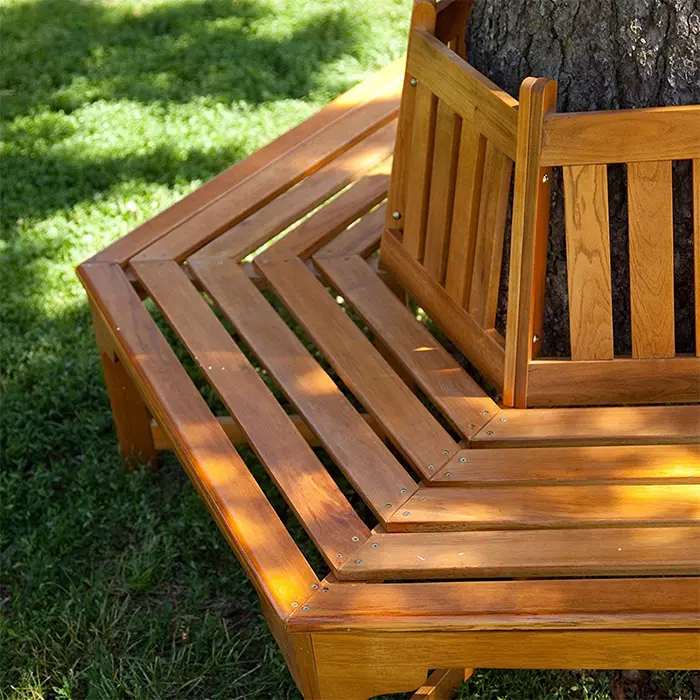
pixel 646 141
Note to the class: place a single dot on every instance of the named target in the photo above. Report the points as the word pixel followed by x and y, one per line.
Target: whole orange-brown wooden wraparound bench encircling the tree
pixel 538 532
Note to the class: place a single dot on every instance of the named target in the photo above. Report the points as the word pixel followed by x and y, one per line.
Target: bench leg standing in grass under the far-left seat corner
pixel 132 419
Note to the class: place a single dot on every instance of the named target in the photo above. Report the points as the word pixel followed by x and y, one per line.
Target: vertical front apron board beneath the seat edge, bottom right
pixel 358 666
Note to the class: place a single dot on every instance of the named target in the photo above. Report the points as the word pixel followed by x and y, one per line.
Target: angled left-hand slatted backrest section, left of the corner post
pixel 449 193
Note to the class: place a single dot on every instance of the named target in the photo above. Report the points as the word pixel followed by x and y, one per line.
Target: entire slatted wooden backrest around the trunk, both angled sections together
pixel 458 139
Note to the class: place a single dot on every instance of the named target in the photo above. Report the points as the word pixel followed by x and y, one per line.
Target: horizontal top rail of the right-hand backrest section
pixel 622 136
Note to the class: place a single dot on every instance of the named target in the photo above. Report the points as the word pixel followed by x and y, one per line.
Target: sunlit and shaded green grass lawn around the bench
pixel 115 584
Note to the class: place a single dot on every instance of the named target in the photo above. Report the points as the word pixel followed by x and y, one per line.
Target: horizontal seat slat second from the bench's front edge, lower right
pixel 654 551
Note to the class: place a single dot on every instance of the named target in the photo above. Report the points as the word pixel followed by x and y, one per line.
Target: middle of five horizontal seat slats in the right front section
pixel 537 507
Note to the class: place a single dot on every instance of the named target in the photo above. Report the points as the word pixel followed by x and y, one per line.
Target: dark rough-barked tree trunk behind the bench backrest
pixel 605 55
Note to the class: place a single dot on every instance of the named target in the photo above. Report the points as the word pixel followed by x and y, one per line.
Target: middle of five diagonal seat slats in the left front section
pixel 350 441
